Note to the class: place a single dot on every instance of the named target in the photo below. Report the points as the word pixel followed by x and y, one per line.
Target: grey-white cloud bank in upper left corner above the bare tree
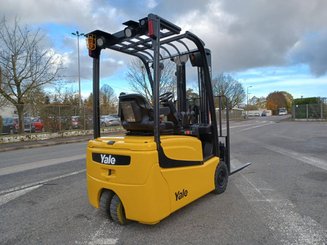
pixel 84 14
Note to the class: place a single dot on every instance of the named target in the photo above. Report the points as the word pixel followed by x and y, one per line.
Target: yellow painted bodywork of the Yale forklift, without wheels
pixel 148 192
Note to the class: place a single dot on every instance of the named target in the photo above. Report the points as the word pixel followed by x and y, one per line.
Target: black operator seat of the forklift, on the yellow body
pixel 137 115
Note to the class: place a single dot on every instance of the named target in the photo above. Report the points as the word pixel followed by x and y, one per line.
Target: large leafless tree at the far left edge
pixel 24 65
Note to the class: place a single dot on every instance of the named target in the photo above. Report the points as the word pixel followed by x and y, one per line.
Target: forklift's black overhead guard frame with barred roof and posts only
pixel 146 45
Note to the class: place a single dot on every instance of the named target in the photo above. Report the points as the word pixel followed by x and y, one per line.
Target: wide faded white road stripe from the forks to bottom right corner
pixel 280 215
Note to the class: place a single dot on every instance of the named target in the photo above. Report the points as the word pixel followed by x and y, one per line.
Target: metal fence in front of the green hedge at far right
pixel 310 111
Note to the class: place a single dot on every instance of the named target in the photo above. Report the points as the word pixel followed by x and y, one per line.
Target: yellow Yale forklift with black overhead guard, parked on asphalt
pixel 172 153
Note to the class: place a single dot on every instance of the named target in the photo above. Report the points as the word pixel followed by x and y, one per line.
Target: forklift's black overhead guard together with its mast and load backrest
pixel 153 39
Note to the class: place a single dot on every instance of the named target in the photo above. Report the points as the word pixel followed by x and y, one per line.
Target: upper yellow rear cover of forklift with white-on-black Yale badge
pixel 121 160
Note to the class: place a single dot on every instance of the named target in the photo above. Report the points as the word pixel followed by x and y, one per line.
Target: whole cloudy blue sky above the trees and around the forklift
pixel 266 45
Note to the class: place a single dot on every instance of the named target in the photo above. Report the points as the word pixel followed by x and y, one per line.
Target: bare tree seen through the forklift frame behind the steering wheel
pixel 139 82
